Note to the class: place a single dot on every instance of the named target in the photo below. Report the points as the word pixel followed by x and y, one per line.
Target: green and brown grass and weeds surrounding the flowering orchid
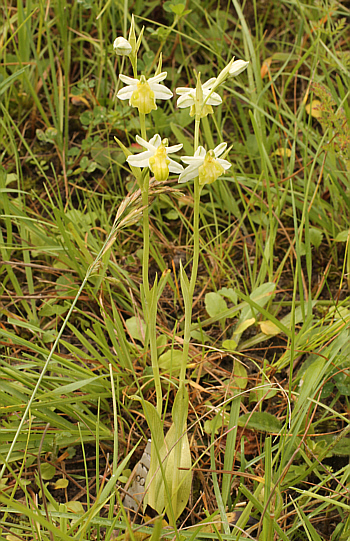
pixel 269 355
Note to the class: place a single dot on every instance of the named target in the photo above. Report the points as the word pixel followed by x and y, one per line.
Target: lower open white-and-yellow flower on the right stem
pixel 205 165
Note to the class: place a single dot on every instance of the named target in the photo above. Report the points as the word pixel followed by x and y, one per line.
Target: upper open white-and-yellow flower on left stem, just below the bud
pixel 143 93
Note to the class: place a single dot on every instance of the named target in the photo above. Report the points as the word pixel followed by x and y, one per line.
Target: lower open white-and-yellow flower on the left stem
pixel 156 157
